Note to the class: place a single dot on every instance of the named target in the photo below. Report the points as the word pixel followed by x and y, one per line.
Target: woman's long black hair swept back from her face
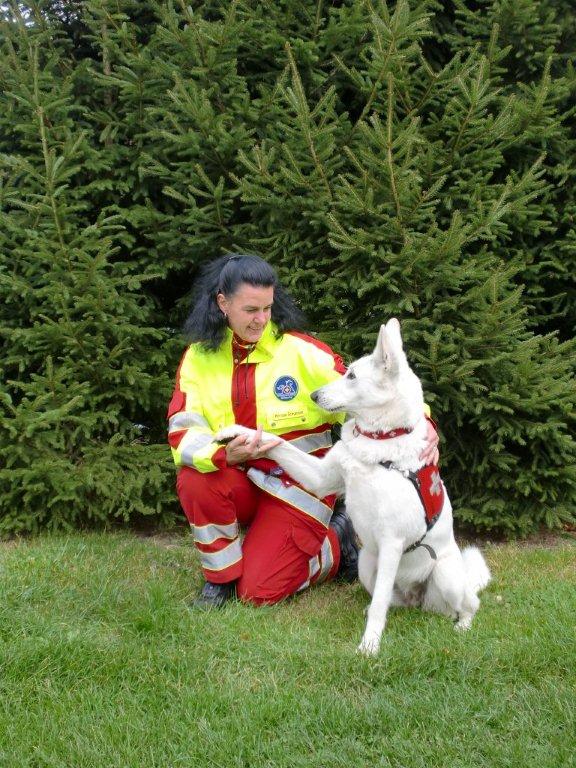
pixel 206 323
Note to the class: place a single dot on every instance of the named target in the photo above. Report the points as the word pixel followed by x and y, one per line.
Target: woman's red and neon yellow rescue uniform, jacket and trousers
pixel 288 544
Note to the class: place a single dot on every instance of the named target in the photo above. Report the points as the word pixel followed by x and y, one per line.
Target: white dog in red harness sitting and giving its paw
pixel 409 555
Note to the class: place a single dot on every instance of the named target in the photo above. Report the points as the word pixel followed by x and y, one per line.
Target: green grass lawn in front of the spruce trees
pixel 102 664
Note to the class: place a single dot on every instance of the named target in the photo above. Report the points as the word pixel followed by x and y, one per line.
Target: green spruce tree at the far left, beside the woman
pixel 79 354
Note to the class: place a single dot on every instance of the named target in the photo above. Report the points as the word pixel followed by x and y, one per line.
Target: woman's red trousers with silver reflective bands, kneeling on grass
pixel 284 549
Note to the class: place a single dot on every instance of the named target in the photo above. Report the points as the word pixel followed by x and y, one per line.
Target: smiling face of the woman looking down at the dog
pixel 248 310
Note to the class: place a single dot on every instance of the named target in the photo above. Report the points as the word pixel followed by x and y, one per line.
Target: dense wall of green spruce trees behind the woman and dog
pixel 414 159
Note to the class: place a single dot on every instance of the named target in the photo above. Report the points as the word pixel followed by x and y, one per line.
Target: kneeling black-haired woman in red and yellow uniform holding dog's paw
pixel 249 363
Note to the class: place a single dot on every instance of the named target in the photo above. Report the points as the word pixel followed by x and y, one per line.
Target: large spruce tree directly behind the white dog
pixel 416 219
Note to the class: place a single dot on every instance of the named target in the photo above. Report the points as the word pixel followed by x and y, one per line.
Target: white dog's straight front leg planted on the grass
pixel 389 554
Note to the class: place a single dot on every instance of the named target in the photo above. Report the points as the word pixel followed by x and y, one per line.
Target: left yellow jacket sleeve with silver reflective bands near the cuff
pixel 189 434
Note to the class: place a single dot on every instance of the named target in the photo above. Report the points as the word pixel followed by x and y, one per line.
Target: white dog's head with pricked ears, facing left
pixel 378 387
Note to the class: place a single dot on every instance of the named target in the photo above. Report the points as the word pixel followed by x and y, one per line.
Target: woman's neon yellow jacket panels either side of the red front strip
pixel 287 370
